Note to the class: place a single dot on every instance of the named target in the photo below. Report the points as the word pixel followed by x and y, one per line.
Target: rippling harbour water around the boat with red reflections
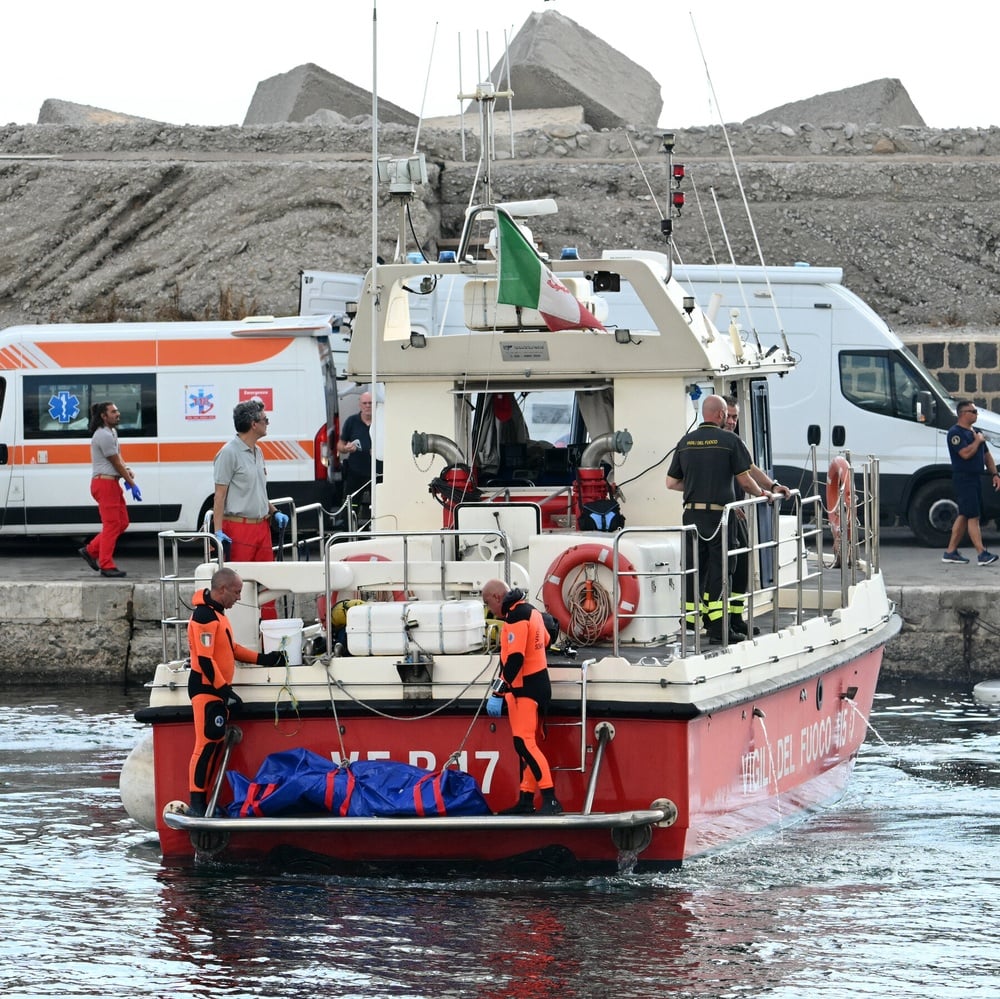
pixel 891 892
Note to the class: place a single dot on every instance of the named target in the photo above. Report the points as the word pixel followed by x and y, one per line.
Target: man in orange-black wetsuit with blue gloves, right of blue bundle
pixel 525 687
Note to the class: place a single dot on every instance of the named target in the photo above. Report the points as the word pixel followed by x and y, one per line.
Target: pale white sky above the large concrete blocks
pixel 199 63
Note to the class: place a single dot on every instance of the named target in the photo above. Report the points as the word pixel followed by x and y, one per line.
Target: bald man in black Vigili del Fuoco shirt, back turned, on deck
pixel 705 463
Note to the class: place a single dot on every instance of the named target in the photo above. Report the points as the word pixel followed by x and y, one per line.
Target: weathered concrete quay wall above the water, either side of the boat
pixel 109 633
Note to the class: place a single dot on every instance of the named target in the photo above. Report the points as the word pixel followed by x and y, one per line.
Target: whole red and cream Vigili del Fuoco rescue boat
pixel 535 455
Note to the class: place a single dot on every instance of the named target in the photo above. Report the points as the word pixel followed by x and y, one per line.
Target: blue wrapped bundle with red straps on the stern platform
pixel 301 781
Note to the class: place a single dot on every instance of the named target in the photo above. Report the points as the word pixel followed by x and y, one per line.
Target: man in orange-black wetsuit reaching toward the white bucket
pixel 214 654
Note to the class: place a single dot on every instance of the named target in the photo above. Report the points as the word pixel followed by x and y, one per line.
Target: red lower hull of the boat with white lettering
pixel 731 770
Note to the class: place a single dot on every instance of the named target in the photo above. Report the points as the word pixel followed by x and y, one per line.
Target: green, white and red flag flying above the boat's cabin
pixel 526 281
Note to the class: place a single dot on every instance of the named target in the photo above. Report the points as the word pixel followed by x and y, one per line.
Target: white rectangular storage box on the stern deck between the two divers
pixel 433 626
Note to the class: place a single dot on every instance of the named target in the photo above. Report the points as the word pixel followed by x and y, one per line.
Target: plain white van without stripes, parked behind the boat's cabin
pixel 856 386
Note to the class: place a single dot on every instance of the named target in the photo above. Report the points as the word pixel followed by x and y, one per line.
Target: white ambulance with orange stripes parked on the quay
pixel 176 385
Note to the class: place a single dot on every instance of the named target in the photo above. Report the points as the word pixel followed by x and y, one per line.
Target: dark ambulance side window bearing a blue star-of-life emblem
pixel 59 406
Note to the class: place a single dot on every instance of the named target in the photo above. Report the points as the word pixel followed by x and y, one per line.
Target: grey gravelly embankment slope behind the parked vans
pixel 149 220
